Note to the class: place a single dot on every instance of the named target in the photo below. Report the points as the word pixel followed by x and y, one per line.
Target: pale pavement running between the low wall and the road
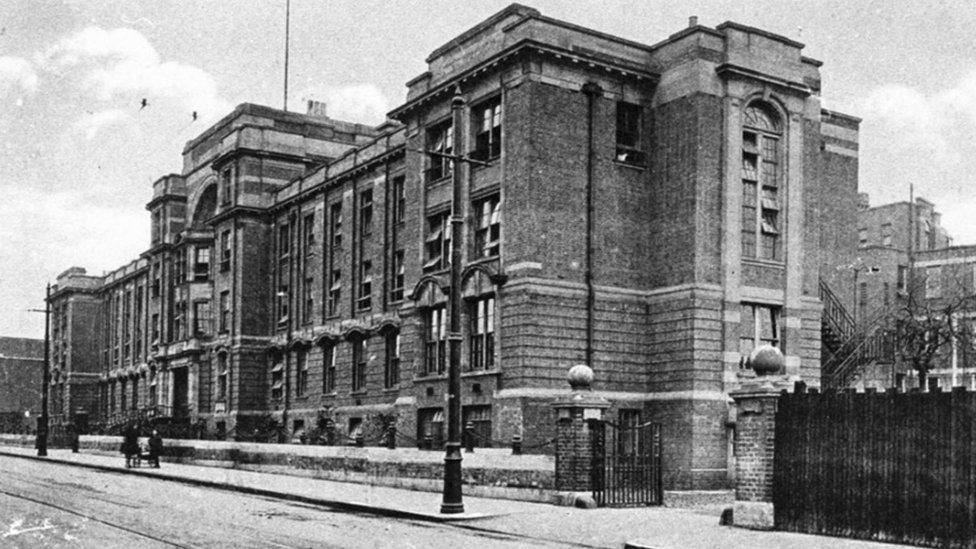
pixel 645 527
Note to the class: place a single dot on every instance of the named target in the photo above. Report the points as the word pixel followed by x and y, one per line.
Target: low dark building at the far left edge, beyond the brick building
pixel 21 374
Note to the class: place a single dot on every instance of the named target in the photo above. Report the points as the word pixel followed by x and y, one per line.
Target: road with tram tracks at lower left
pixel 50 505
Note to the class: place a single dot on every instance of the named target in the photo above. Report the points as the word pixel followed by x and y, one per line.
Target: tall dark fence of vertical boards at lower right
pixel 882 466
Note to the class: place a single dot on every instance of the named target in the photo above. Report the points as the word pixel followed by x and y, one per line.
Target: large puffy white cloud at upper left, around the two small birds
pixel 122 64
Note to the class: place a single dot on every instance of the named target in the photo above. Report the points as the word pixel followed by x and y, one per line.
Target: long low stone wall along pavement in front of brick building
pixel 488 472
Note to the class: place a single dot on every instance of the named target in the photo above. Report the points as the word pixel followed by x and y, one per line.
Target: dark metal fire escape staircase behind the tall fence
pixel 848 347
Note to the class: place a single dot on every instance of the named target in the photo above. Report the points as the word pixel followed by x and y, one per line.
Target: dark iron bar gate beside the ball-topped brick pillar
pixel 626 464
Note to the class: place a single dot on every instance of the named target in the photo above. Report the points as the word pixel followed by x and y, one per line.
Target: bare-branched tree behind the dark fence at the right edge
pixel 927 327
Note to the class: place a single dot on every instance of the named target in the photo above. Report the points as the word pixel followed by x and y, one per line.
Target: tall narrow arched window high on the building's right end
pixel 761 174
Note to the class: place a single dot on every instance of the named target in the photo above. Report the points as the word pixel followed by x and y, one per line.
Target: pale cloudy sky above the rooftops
pixel 79 151
